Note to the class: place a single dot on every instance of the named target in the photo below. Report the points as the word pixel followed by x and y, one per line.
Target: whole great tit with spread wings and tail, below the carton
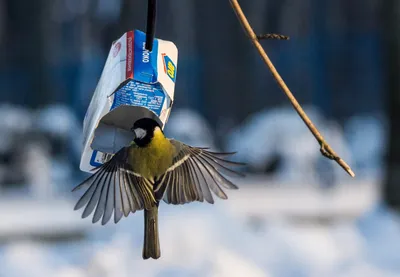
pixel 154 168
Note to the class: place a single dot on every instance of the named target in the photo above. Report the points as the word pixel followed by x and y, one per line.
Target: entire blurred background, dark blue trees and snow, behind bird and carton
pixel 296 214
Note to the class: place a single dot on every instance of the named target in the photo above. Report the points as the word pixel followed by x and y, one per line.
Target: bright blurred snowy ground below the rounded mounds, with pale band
pixel 257 232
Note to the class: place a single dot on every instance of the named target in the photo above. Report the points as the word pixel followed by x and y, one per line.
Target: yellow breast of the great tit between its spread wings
pixel 153 160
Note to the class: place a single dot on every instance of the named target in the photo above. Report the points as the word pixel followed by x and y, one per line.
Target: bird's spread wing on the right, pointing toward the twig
pixel 195 171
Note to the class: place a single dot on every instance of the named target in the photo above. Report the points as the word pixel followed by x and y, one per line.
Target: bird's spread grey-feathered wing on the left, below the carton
pixel 115 187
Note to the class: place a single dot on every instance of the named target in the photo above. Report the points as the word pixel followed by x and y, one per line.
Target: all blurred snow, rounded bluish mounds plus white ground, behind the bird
pixel 290 219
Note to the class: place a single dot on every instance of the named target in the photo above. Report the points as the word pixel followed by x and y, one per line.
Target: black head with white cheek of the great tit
pixel 143 130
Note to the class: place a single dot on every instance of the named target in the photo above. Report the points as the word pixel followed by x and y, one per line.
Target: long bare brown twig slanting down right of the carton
pixel 325 149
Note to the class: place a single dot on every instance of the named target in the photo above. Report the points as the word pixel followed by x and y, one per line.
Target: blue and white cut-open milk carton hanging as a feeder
pixel 135 83
